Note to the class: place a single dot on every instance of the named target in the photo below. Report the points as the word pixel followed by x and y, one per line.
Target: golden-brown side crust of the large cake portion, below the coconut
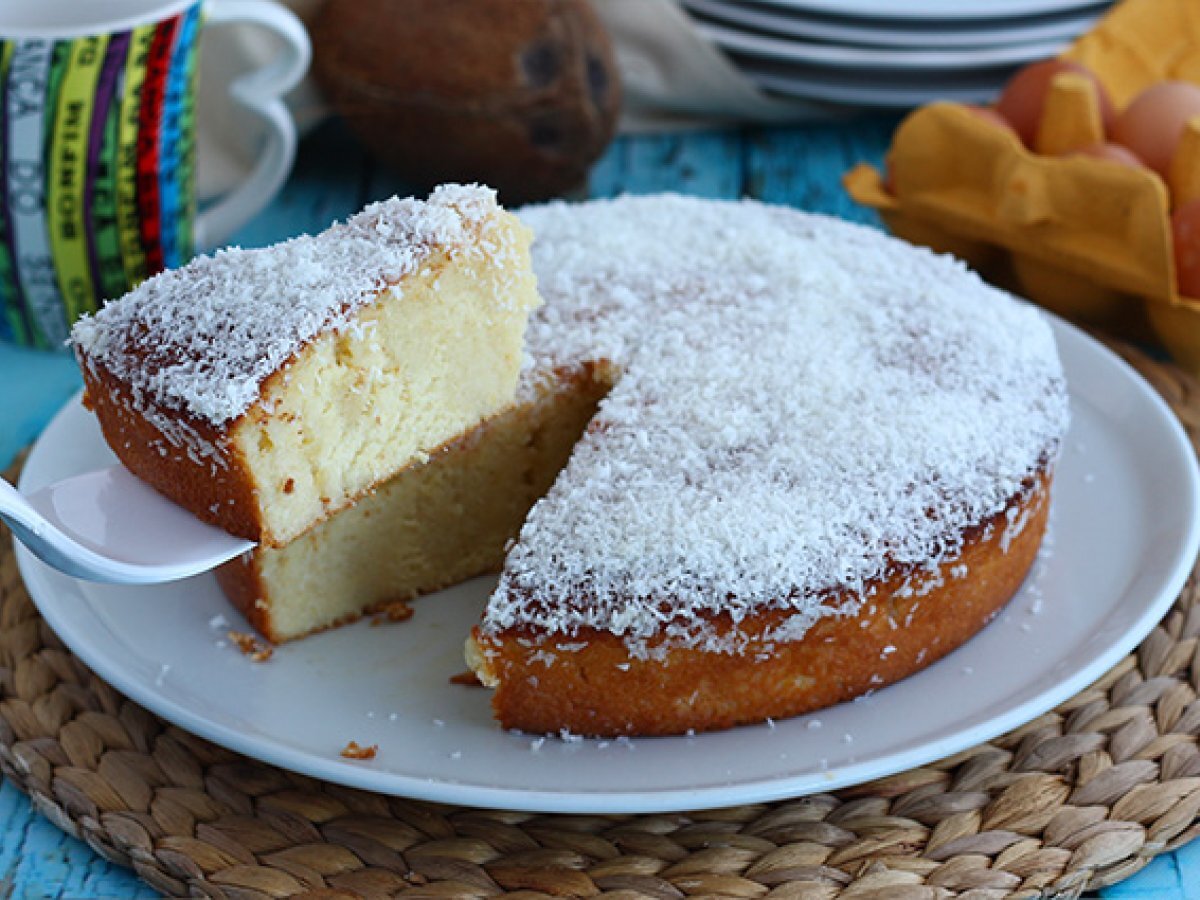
pixel 596 688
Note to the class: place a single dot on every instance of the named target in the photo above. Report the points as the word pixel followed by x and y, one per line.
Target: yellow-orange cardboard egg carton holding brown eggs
pixel 1083 237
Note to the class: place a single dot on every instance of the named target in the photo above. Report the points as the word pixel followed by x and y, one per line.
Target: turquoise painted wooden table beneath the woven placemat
pixel 334 177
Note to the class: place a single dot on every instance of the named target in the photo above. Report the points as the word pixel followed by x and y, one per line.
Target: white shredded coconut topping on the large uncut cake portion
pixel 803 404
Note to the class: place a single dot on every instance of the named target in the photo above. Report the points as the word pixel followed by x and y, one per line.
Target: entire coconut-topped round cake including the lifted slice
pixel 758 461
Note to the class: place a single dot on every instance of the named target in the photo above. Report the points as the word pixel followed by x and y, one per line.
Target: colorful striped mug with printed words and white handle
pixel 98 148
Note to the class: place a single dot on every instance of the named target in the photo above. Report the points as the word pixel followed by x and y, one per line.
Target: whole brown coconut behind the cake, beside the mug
pixel 521 95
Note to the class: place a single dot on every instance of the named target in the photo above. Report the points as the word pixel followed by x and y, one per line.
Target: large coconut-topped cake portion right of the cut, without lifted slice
pixel 824 464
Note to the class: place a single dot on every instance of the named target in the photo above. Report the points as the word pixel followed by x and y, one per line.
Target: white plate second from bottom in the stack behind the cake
pixel 883 59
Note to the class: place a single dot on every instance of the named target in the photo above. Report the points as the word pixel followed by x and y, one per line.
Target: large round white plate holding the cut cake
pixel 1124 538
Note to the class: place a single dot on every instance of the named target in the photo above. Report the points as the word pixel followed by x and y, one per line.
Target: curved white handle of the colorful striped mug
pixel 261 93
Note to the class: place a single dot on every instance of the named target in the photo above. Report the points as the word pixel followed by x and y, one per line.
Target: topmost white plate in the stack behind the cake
pixel 790 25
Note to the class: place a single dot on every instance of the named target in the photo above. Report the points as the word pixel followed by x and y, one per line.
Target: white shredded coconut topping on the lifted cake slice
pixel 203 339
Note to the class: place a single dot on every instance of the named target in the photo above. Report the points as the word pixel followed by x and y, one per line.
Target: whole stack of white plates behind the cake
pixel 890 53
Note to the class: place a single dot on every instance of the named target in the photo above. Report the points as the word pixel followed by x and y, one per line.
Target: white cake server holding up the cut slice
pixel 109 526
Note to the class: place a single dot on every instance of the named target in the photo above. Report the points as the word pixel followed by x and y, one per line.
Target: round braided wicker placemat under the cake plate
pixel 1079 799
